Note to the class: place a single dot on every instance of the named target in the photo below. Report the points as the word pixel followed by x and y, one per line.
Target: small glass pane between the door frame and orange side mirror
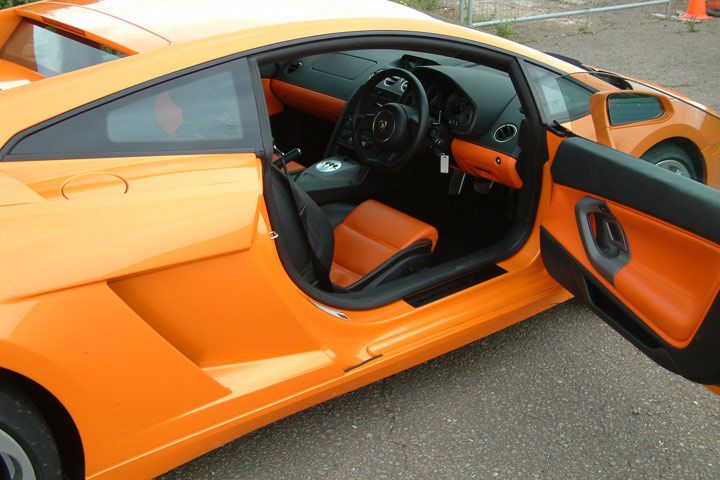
pixel 562 97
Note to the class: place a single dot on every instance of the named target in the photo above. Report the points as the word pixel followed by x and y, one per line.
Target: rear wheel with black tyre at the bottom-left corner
pixel 27 447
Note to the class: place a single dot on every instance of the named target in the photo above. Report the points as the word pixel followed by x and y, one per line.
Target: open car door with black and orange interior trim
pixel 641 246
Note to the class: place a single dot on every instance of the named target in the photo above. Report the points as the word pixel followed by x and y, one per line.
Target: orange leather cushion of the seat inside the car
pixel 370 235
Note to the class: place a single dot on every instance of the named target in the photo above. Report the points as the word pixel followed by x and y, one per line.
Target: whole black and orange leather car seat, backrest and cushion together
pixel 360 247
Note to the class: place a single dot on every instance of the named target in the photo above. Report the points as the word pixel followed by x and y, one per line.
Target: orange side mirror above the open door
pixel 614 110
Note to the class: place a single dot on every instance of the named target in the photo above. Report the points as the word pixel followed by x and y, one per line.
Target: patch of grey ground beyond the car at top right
pixel 634 43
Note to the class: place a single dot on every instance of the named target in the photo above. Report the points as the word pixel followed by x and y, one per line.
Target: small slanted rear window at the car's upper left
pixel 49 51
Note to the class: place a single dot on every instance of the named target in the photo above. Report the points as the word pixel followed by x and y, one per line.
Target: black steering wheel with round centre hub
pixel 390 137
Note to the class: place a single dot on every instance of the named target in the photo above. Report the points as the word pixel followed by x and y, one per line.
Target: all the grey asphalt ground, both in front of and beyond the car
pixel 558 396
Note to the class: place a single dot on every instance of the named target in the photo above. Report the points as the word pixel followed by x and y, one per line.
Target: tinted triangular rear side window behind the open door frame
pixel 209 110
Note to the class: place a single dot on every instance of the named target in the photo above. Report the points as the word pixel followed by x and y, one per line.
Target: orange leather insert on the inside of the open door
pixel 672 277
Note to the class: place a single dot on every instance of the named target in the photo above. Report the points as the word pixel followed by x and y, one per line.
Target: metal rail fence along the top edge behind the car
pixel 481 13
